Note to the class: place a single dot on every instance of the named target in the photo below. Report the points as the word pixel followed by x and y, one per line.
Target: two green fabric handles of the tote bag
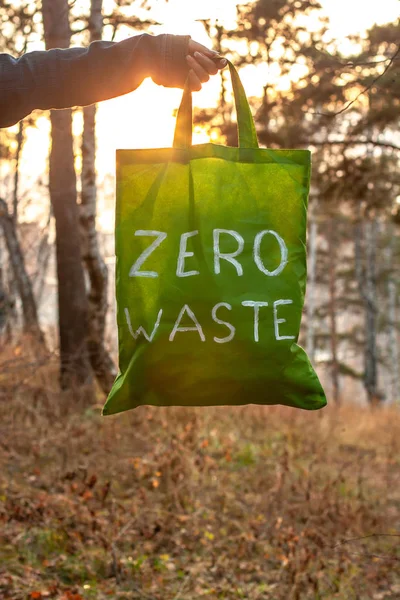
pixel 246 129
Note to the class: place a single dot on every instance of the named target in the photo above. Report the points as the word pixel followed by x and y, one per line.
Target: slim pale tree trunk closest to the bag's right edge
pixel 311 287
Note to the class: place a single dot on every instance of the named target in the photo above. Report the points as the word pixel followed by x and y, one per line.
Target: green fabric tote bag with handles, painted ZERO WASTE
pixel 211 272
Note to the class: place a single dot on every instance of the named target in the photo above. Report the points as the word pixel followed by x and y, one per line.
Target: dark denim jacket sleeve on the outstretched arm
pixel 62 78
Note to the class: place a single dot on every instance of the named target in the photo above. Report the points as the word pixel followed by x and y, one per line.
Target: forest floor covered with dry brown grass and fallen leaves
pixel 260 503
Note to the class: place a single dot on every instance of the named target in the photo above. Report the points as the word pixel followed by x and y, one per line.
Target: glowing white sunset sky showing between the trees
pixel 145 118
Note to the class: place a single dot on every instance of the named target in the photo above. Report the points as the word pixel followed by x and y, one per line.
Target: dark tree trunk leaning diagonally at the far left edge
pixel 24 286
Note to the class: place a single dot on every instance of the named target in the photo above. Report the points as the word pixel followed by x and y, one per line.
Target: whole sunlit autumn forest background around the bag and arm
pixel 322 76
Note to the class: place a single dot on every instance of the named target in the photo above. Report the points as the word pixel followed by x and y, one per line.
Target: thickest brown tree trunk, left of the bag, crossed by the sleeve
pixel 72 298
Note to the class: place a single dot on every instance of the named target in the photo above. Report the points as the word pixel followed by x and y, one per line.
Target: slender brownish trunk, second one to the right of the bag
pixel 332 310
